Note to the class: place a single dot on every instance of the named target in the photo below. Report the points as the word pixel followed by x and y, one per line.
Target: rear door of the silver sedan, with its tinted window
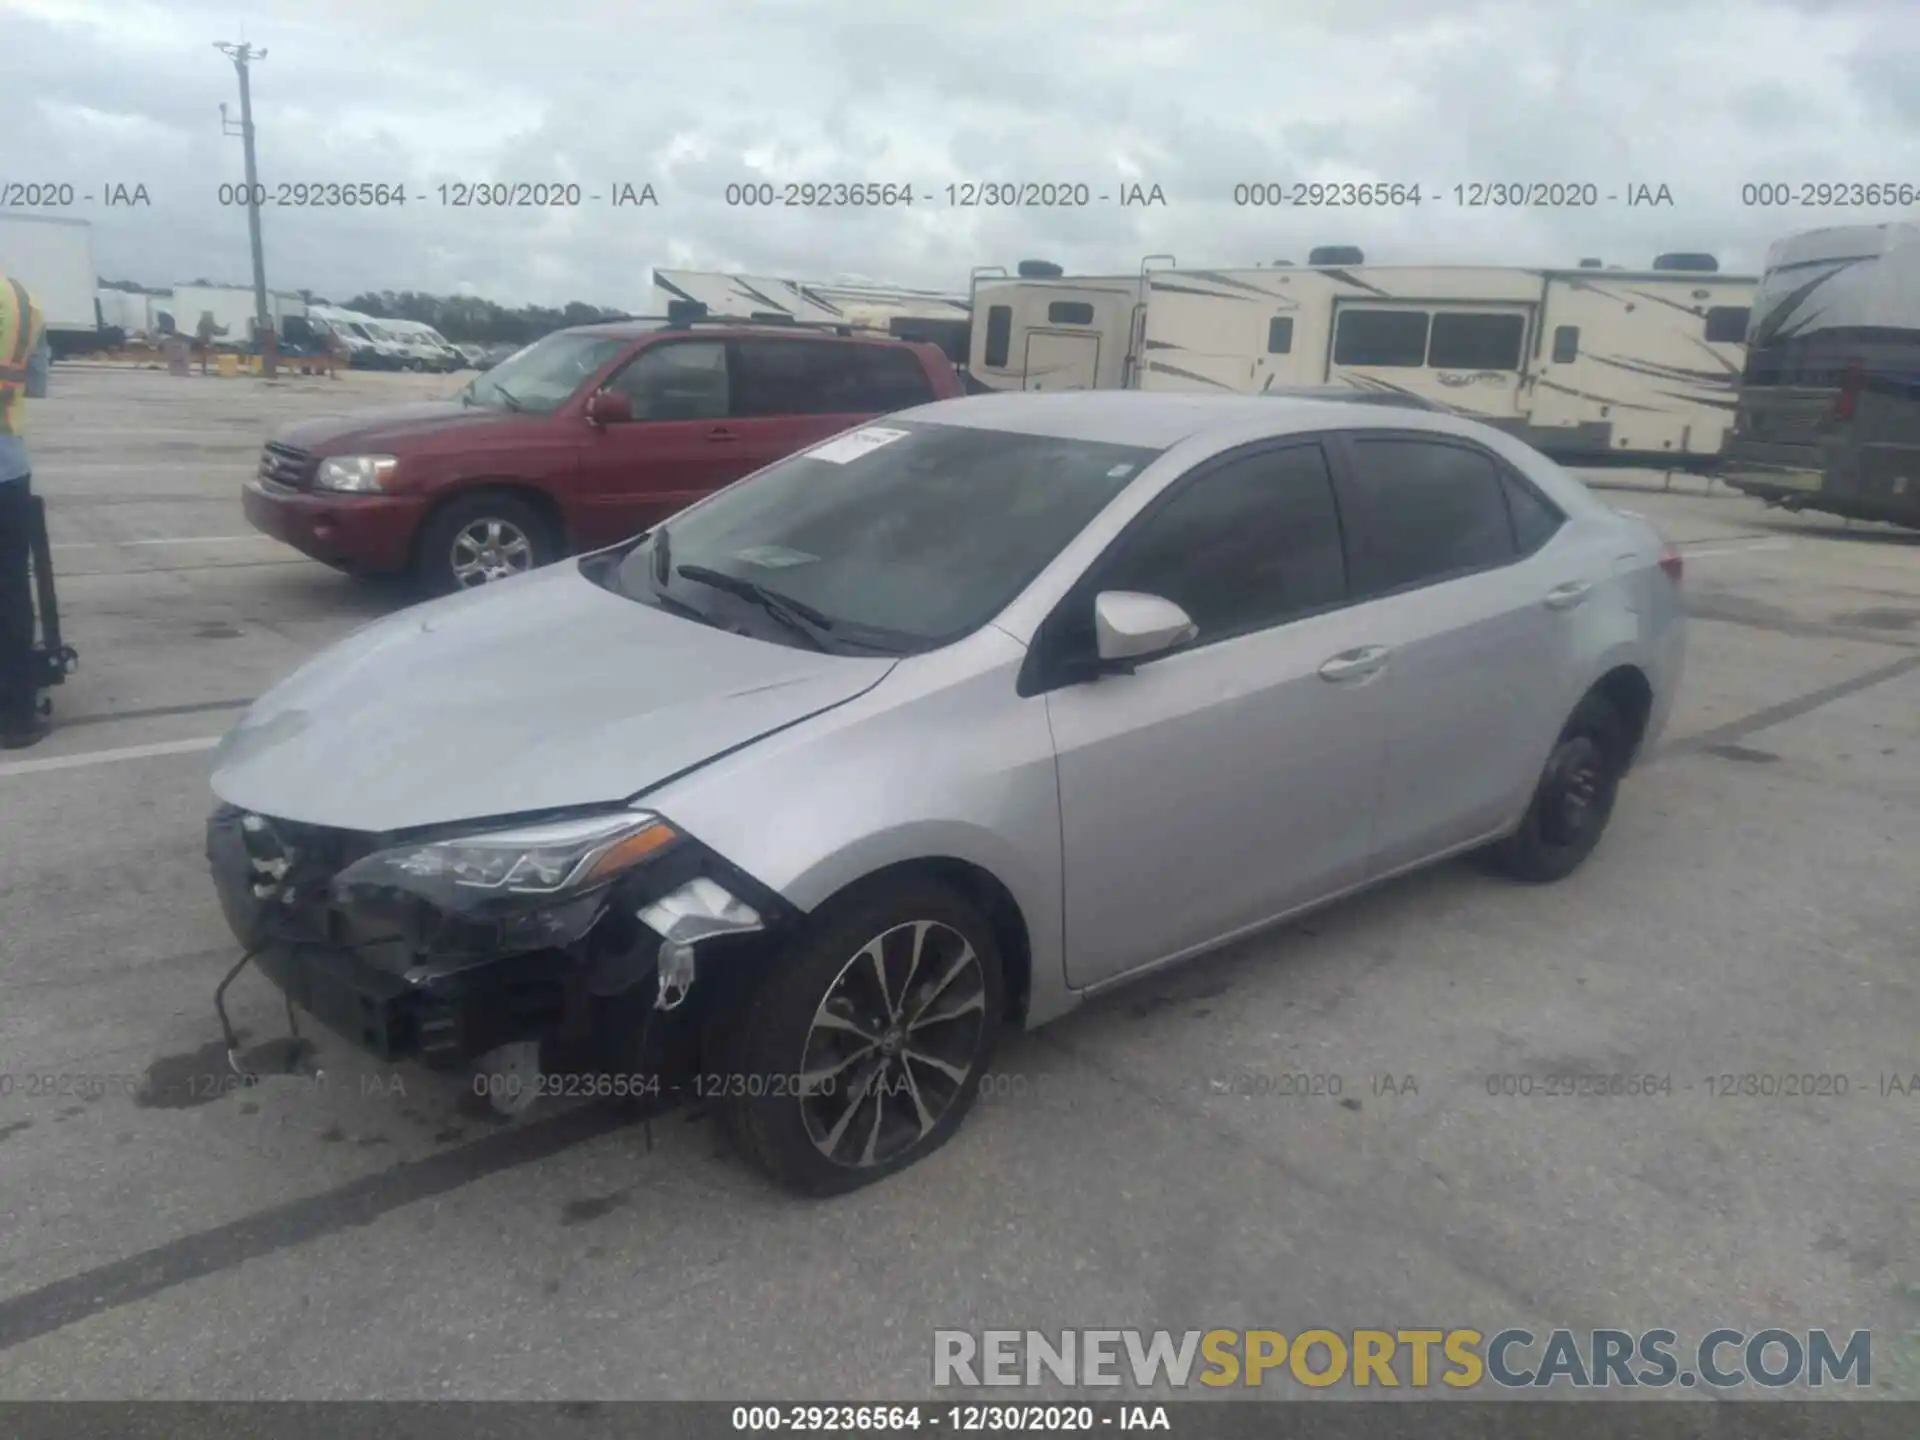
pixel 1462 581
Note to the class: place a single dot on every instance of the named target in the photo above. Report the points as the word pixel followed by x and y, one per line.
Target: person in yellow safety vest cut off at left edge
pixel 24 364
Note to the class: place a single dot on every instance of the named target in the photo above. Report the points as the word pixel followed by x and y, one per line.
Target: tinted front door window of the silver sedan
pixel 1249 546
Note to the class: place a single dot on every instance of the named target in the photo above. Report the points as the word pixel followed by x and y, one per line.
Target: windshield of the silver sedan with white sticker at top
pixel 898 537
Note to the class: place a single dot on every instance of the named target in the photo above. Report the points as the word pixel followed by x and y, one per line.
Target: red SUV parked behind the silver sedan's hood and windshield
pixel 575 443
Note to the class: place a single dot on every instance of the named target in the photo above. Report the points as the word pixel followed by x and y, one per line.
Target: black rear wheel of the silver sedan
pixel 1572 802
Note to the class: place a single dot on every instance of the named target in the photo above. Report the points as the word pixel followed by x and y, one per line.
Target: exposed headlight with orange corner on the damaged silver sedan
pixel 527 886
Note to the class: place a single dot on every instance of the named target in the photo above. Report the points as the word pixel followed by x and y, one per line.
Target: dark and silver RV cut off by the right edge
pixel 1831 400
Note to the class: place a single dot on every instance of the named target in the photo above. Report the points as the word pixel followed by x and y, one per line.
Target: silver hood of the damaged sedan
pixel 525 696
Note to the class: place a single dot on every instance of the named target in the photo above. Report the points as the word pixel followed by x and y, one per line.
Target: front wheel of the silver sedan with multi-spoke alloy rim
pixel 811 1143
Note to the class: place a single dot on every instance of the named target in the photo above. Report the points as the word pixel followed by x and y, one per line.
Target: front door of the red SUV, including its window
pixel 671 454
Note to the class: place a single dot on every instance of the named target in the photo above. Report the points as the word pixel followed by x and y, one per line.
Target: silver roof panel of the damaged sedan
pixel 1164 420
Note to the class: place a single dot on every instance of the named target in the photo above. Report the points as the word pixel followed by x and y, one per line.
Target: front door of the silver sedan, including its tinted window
pixel 1236 779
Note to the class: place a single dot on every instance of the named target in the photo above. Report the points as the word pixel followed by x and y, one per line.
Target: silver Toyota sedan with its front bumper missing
pixel 944 725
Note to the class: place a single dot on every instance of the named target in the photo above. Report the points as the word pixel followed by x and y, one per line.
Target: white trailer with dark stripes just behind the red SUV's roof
pixel 934 316
